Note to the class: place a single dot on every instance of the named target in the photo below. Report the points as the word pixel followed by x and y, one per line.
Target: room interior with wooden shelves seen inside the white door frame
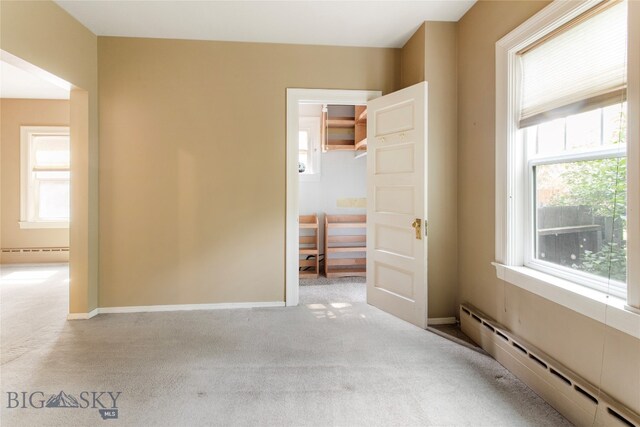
pixel 332 202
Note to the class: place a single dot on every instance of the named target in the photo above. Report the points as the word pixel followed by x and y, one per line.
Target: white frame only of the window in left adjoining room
pixel 27 190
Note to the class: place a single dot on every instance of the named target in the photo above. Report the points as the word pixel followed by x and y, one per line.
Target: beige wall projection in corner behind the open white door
pixel 430 54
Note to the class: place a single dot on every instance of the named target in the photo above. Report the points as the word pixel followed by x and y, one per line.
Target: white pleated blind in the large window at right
pixel 577 69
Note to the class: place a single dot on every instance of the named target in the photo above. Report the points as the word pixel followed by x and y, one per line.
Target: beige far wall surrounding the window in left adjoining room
pixel 13 114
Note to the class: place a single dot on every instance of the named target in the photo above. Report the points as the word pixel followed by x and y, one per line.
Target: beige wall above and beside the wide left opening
pixel 44 35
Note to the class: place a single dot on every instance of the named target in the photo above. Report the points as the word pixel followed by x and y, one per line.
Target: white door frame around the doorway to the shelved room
pixel 294 98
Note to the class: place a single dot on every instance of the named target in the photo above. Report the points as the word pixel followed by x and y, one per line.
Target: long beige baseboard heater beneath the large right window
pixel 574 397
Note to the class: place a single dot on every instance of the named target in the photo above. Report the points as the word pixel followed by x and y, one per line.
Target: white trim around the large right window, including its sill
pixel 511 197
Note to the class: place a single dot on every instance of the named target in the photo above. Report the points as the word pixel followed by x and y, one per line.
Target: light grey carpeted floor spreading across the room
pixel 327 362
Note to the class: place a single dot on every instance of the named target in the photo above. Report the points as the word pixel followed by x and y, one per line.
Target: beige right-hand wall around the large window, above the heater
pixel 578 342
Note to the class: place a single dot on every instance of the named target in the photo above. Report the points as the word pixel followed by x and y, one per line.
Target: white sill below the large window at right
pixel 598 306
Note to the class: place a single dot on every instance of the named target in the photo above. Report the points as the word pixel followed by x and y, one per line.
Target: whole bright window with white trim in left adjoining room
pixel 45 177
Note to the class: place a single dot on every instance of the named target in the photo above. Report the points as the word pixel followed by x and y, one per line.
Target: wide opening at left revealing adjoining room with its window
pixel 36 186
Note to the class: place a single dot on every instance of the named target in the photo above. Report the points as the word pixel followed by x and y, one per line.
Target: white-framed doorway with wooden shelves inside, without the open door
pixel 326 195
